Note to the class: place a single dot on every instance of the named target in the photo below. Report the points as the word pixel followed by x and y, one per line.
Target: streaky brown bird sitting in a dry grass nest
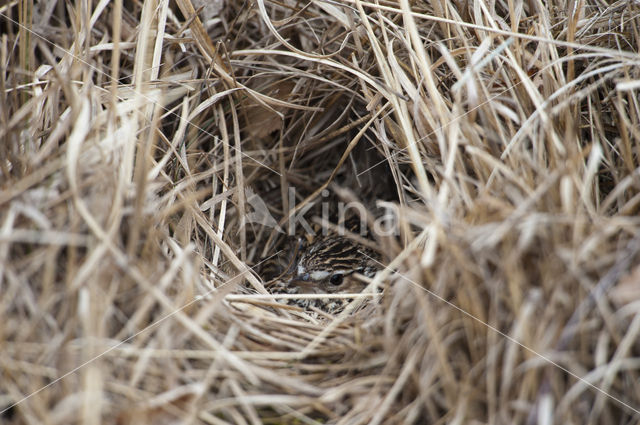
pixel 327 265
